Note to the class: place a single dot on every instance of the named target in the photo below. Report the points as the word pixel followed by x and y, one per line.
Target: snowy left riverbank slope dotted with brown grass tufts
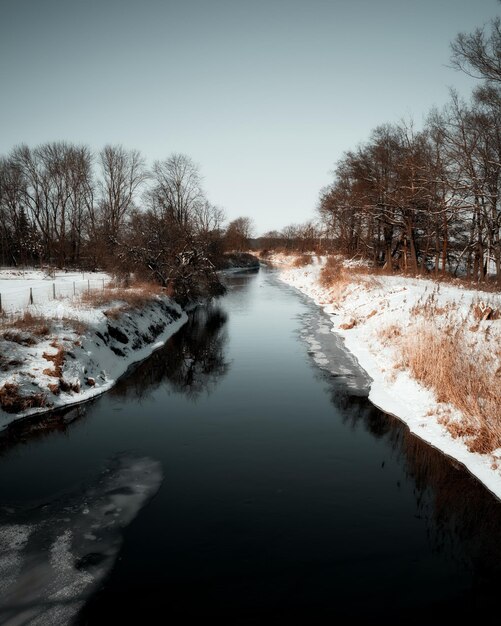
pixel 64 352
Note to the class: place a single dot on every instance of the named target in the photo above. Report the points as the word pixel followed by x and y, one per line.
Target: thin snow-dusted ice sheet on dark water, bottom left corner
pixel 59 555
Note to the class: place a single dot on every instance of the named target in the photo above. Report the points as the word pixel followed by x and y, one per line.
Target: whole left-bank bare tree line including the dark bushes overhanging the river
pixel 61 205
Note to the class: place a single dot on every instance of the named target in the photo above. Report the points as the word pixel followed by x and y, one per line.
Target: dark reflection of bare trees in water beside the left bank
pixel 192 361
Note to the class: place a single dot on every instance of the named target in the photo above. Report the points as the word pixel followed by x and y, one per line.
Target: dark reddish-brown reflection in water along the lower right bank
pixel 457 509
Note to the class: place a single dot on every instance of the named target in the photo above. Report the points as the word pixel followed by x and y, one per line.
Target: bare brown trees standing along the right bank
pixel 429 199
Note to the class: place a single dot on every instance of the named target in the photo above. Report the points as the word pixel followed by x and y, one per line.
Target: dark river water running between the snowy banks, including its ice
pixel 286 497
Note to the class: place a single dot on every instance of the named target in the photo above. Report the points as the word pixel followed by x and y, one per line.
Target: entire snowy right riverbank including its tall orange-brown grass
pixel 387 321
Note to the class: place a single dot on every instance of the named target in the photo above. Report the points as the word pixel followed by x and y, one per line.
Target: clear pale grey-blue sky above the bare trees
pixel 265 95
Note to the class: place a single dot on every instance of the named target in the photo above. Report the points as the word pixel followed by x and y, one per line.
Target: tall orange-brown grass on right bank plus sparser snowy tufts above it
pixel 459 367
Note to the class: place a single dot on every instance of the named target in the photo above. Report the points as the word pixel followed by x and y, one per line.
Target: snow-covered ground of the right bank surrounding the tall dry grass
pixel 361 311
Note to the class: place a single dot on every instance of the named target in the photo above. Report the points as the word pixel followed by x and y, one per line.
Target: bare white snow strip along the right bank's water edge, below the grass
pixel 398 394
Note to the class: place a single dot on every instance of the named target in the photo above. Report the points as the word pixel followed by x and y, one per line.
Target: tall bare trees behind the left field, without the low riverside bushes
pixel 60 205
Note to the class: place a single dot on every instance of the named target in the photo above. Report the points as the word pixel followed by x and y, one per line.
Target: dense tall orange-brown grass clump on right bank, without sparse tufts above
pixel 462 376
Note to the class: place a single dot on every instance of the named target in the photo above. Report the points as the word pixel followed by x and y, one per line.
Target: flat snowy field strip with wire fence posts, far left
pixel 19 299
